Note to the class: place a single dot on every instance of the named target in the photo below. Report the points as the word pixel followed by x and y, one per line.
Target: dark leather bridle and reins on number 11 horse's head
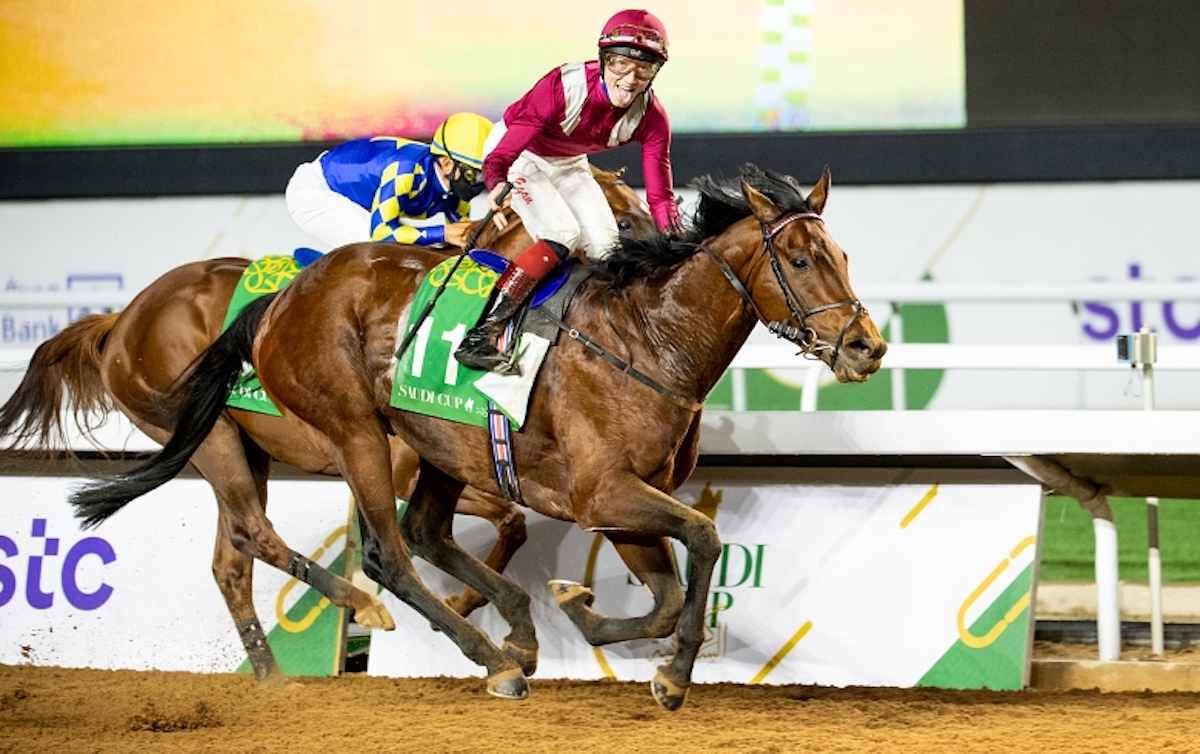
pixel 812 345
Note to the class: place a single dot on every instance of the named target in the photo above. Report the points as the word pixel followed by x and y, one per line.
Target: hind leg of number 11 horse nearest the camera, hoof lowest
pixel 364 462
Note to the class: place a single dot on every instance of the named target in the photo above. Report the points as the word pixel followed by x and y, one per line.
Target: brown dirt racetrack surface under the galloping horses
pixel 80 711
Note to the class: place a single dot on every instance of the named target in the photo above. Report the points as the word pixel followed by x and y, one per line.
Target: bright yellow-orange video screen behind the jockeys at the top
pixel 146 73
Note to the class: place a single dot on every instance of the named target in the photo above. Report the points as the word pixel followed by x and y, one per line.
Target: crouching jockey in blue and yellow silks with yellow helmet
pixel 374 189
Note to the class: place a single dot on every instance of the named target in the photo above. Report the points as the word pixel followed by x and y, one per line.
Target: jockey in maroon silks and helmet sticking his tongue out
pixel 542 148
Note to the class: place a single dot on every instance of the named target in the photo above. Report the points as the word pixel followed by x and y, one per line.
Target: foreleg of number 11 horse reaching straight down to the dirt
pixel 627 504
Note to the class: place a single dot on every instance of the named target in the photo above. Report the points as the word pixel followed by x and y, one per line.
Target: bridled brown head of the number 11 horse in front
pixel 813 304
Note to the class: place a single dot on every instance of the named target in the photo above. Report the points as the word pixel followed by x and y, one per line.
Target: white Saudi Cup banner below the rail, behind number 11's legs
pixel 896 587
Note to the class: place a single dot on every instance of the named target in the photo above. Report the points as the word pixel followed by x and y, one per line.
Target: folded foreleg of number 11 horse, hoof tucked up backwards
pixel 651 560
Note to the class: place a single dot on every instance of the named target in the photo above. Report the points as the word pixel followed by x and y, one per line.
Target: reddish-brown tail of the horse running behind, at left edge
pixel 62 379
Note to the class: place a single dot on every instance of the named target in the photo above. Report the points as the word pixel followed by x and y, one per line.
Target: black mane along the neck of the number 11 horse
pixel 722 205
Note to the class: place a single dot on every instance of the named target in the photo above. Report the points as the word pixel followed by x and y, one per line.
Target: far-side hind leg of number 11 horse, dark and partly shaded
pixel 428 528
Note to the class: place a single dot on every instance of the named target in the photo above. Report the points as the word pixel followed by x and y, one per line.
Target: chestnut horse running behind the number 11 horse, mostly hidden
pixel 133 361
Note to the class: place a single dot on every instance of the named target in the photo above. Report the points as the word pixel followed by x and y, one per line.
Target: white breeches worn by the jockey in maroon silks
pixel 560 200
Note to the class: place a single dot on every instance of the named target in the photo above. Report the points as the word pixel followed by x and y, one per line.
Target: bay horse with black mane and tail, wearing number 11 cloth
pixel 602 447
